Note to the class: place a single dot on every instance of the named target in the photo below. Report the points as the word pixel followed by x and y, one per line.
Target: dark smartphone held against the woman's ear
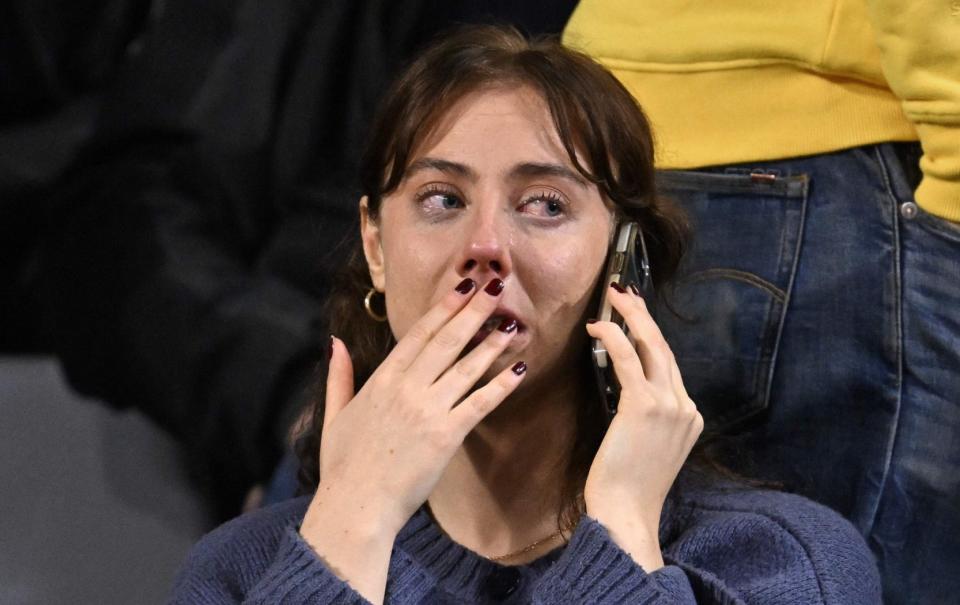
pixel 627 262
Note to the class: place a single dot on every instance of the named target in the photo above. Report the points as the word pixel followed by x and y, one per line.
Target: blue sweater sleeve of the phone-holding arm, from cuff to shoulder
pixel 758 548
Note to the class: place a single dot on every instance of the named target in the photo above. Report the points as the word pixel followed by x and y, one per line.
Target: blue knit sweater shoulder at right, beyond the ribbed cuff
pixel 763 541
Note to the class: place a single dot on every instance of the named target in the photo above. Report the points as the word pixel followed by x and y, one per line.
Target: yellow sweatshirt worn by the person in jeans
pixel 752 80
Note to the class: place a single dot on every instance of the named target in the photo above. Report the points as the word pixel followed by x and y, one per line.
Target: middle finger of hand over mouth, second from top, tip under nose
pixel 444 348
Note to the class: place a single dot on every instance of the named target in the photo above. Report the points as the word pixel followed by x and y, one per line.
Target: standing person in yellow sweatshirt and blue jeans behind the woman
pixel 816 147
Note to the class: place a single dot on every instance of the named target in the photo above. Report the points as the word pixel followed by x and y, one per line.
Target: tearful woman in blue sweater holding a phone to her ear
pixel 460 450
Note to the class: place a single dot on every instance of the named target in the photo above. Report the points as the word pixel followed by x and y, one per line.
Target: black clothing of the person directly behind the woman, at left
pixel 190 248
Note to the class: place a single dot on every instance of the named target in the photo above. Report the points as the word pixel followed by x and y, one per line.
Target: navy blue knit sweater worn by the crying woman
pixel 720 546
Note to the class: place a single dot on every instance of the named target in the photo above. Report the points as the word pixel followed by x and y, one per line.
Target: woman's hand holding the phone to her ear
pixel 650 437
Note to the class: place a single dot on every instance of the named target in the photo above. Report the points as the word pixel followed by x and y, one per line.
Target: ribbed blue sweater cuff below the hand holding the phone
pixel 593 569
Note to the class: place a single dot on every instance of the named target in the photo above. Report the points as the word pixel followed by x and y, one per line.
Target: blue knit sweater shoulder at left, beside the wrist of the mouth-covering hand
pixel 233 555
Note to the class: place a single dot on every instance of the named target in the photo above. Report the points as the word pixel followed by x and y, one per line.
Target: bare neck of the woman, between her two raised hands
pixel 502 489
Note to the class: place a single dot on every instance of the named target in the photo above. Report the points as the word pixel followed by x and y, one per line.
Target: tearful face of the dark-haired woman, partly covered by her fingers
pixel 492 194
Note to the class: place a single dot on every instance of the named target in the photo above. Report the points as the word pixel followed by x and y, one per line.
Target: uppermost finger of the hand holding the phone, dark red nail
pixel 652 348
